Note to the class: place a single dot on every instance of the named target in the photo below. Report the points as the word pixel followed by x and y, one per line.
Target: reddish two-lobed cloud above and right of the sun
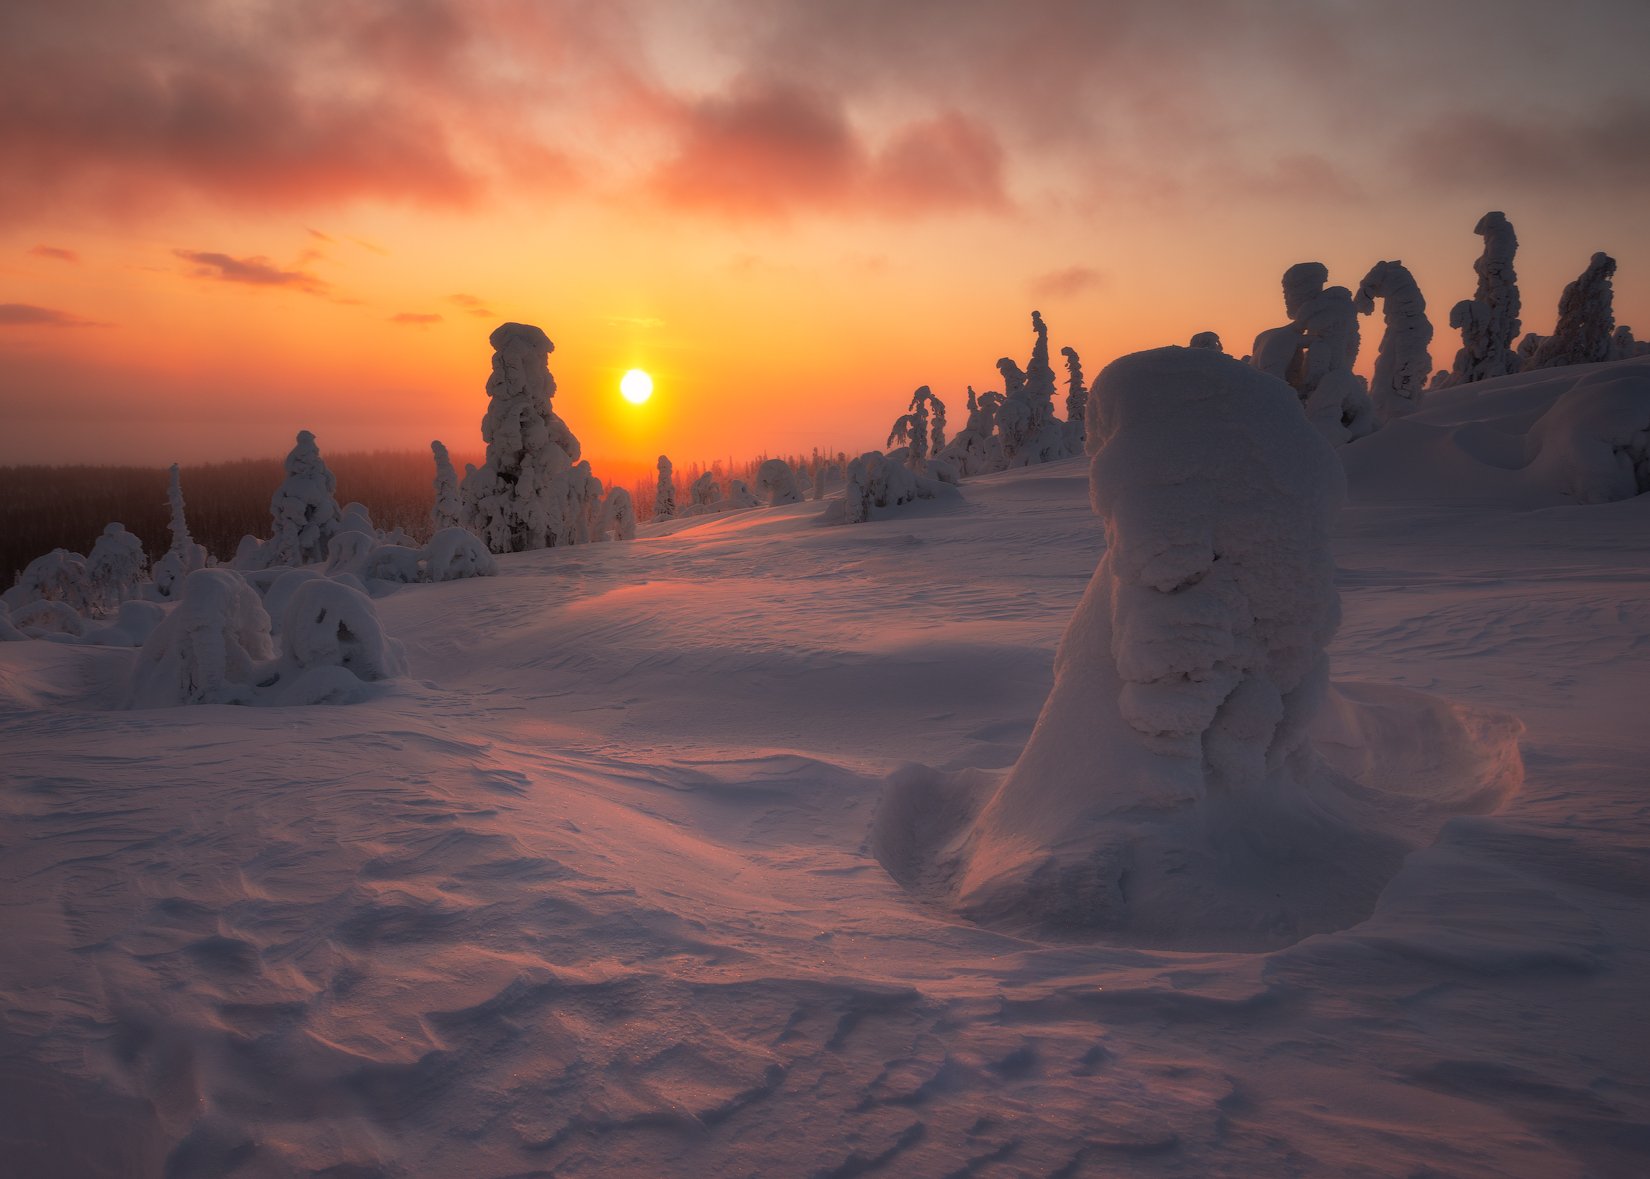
pixel 766 149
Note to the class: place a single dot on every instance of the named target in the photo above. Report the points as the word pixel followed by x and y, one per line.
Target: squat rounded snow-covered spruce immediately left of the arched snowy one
pixel 210 649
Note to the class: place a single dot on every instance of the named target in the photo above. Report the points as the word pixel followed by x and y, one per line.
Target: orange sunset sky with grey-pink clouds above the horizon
pixel 225 222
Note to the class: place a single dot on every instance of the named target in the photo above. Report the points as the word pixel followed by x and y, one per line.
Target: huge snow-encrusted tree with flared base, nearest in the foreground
pixel 1176 731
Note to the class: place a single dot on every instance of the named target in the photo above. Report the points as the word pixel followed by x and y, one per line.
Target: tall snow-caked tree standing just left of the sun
pixel 532 492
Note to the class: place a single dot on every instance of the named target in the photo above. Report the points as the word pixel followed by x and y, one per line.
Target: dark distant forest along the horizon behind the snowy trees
pixel 45 509
